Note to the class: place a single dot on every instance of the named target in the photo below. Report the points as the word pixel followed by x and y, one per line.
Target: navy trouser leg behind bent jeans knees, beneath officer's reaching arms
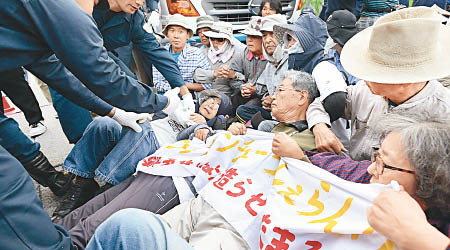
pixel 73 118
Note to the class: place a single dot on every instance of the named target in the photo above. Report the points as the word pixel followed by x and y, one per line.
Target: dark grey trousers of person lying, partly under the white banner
pixel 149 192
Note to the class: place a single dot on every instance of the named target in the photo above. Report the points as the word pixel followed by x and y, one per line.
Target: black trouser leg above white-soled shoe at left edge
pixel 14 85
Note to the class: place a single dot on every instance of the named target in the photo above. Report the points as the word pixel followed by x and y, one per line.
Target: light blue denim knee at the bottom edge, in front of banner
pixel 135 229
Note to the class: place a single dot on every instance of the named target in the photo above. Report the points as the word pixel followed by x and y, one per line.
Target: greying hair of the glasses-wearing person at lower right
pixel 425 140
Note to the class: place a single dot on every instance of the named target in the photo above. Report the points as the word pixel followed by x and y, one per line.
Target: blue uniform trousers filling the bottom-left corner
pixel 24 224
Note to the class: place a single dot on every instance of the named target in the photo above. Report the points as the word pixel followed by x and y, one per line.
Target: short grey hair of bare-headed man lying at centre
pixel 303 81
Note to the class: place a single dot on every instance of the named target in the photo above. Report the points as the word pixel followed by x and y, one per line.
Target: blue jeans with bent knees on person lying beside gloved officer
pixel 109 151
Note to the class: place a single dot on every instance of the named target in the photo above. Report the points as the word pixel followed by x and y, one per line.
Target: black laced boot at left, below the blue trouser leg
pixel 45 174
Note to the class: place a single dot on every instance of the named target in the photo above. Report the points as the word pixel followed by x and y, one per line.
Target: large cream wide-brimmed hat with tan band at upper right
pixel 406 46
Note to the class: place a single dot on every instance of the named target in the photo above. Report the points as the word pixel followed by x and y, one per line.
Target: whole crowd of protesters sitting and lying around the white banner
pixel 365 106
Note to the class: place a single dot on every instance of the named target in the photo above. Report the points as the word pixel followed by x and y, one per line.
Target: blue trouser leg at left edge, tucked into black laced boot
pixel 15 141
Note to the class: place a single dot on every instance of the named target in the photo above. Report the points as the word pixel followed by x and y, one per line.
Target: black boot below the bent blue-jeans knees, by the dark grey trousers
pixel 80 192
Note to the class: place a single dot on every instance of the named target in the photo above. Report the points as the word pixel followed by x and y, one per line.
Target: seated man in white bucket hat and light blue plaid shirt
pixel 188 58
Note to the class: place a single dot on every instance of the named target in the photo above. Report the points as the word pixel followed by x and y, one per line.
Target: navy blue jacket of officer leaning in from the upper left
pixel 32 30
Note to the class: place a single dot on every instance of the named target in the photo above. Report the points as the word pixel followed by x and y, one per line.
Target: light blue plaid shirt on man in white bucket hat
pixel 190 59
